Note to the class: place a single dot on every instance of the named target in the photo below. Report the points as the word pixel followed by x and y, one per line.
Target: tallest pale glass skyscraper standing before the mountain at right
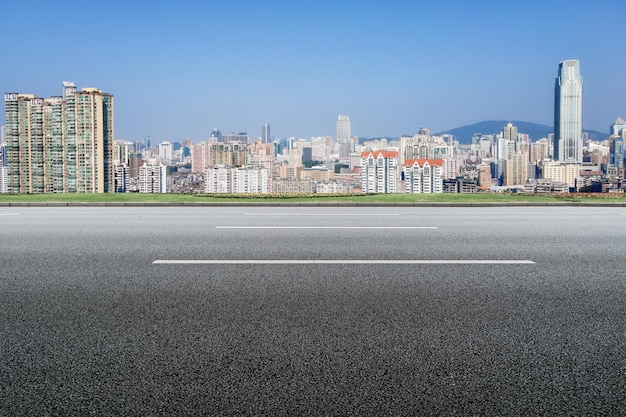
pixel 568 113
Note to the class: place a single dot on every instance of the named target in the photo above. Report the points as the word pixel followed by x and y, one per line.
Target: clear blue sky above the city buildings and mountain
pixel 178 69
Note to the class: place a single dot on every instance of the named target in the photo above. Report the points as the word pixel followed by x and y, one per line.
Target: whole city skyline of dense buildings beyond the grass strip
pixel 66 144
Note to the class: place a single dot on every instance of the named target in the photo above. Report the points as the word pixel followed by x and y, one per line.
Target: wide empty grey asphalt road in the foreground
pixel 90 324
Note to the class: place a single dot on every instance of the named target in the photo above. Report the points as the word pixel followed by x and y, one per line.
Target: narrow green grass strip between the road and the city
pixel 370 198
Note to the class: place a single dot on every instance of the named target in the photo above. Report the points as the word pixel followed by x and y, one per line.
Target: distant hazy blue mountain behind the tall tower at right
pixel 491 127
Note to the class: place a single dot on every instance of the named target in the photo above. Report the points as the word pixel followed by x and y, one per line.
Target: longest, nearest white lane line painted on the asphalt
pixel 343 261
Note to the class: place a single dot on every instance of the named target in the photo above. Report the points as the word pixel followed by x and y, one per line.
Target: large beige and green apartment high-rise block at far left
pixel 60 144
